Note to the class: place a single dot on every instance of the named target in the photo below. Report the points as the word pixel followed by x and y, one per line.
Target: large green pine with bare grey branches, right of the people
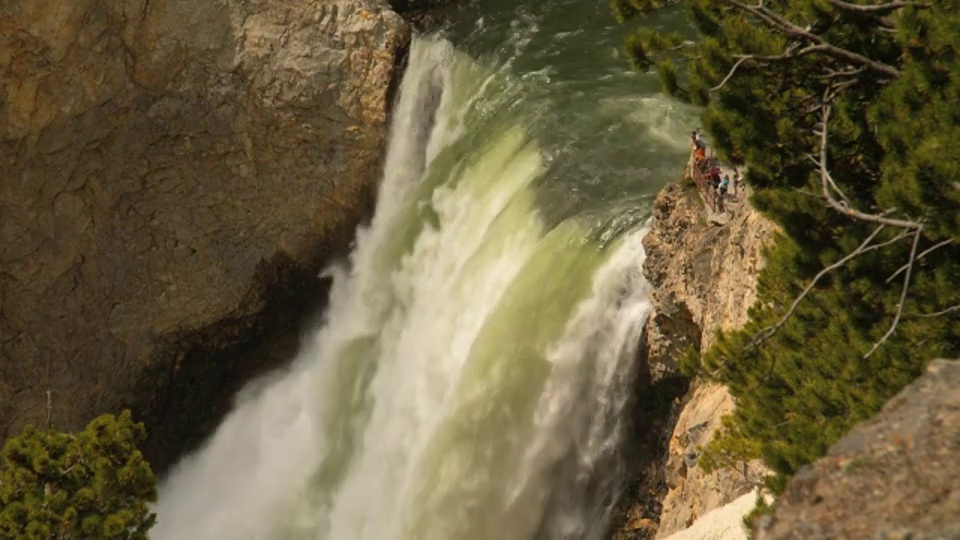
pixel 890 73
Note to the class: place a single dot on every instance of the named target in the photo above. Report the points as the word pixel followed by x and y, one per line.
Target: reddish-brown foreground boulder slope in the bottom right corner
pixel 894 476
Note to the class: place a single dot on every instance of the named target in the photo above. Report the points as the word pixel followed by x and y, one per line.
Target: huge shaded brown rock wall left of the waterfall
pixel 166 165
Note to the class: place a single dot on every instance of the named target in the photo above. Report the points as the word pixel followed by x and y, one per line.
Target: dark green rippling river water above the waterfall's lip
pixel 610 138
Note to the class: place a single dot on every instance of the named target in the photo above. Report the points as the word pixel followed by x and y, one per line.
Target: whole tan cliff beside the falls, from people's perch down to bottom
pixel 704 279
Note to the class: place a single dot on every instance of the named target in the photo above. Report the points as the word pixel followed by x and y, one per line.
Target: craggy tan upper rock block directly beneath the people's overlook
pixel 704 276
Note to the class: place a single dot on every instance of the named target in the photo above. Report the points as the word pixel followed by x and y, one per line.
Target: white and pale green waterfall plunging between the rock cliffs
pixel 471 373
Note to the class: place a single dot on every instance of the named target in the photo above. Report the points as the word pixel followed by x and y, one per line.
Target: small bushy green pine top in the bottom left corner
pixel 95 484
